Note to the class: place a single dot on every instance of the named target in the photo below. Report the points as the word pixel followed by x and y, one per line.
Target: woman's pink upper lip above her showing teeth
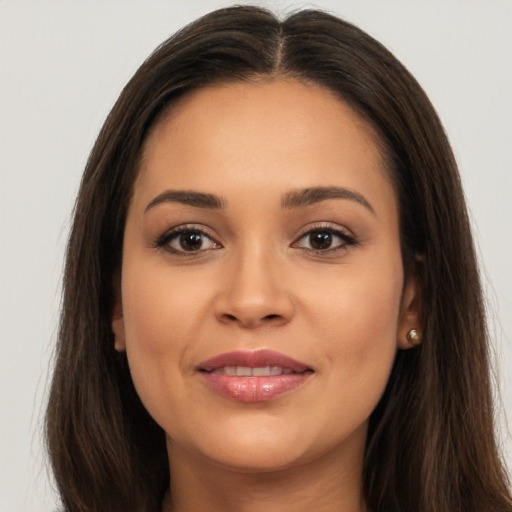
pixel 252 359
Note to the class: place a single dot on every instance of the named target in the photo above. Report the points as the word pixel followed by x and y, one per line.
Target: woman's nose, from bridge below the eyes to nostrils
pixel 254 293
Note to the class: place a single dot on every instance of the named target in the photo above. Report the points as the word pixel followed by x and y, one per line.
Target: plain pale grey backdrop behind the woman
pixel 62 65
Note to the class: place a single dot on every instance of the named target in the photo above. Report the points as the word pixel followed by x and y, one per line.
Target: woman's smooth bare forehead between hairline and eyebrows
pixel 283 133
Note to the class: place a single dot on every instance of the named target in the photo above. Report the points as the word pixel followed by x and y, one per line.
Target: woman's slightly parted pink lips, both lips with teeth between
pixel 253 376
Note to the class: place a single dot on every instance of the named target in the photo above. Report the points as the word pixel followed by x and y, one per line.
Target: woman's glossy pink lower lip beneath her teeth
pixel 254 389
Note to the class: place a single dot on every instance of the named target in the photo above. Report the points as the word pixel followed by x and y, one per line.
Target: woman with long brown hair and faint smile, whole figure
pixel 271 298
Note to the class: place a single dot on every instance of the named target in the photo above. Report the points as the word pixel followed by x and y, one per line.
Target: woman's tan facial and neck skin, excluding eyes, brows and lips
pixel 256 282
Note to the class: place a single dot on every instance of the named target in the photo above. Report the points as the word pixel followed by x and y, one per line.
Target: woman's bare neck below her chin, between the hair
pixel 330 483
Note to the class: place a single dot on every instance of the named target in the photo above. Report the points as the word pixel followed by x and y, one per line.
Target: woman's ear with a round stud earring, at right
pixel 411 314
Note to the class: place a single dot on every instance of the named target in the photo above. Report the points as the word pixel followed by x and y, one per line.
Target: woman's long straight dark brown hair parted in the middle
pixel 431 444
